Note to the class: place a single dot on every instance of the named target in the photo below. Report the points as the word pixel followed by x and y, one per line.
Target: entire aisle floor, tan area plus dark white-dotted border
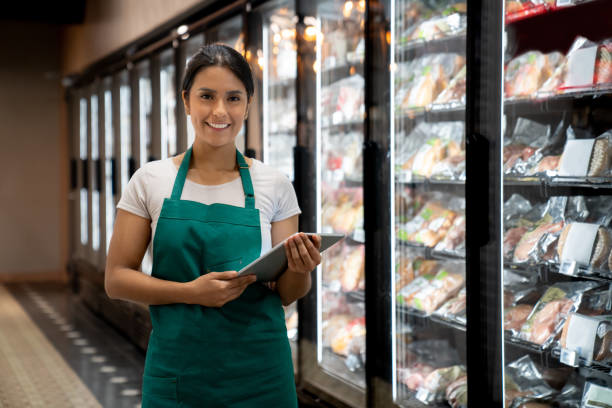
pixel 55 353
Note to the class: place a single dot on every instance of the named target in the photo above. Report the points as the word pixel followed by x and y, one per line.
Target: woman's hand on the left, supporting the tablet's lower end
pixel 215 289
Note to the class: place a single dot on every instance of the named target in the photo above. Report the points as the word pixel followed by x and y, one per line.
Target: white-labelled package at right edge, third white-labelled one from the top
pixel 589 244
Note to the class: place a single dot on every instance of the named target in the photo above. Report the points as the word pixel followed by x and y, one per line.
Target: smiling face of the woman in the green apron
pixel 218 104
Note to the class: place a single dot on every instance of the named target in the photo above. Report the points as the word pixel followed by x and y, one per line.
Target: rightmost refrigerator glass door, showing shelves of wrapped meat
pixel 556 203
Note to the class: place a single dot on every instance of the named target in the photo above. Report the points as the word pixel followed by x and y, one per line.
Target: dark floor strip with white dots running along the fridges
pixel 106 362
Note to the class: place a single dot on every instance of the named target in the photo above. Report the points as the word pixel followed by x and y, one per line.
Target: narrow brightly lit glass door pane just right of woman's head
pixel 279 73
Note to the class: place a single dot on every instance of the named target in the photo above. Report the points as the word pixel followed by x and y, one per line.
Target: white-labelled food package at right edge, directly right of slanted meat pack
pixel 589 336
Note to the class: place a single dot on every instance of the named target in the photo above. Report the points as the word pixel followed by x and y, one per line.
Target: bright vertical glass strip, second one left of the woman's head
pixel 168 105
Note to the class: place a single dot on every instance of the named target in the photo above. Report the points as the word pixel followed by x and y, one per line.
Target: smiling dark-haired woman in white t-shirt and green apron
pixel 218 340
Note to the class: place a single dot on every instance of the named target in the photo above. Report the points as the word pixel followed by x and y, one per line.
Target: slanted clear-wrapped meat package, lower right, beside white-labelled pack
pixel 548 315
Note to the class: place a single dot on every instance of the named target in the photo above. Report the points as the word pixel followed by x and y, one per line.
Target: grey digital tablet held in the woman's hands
pixel 274 262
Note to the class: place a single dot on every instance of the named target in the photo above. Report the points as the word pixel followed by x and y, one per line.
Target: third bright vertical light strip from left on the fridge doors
pixel 109 146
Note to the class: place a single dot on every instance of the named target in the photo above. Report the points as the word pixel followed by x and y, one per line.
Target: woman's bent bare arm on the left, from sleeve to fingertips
pixel 122 280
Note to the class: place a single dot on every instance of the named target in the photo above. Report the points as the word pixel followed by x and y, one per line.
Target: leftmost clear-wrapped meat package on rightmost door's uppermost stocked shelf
pixel 526 73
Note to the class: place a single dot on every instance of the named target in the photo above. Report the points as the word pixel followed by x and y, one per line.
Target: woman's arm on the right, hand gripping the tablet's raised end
pixel 303 257
